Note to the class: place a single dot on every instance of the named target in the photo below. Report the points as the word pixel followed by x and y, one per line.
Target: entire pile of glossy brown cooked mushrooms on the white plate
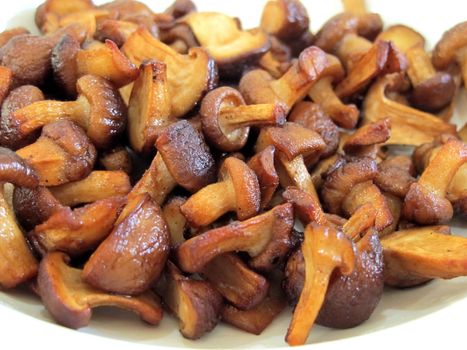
pixel 179 161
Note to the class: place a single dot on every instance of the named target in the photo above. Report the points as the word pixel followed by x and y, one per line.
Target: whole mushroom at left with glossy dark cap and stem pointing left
pixel 99 110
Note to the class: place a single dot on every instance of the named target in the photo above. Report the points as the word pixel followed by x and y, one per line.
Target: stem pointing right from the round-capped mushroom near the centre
pixel 232 118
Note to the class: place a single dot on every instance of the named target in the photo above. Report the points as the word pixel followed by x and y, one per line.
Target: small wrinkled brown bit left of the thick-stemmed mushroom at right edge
pixel 395 175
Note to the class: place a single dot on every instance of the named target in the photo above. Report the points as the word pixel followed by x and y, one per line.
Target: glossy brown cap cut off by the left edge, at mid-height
pixel 14 169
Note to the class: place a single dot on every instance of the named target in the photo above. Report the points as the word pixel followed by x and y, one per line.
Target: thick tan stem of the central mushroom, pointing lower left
pixel 210 203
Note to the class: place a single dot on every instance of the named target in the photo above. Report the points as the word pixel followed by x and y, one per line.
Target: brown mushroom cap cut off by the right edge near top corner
pixel 451 42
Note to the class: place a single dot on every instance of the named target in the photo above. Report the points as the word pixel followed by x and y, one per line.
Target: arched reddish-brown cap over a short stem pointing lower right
pixel 340 181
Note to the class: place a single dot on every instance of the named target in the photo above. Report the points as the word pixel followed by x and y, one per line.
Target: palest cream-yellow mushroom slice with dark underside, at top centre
pixel 232 48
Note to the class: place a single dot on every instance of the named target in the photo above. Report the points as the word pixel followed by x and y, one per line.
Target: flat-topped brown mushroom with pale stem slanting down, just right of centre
pixel 295 147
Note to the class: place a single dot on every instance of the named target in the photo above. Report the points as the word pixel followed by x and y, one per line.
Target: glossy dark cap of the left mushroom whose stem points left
pixel 108 113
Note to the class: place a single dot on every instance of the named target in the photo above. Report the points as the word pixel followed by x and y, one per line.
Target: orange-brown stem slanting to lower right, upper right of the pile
pixel 322 92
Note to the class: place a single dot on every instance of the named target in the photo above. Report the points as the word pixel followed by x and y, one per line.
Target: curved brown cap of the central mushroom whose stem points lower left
pixel 246 186
